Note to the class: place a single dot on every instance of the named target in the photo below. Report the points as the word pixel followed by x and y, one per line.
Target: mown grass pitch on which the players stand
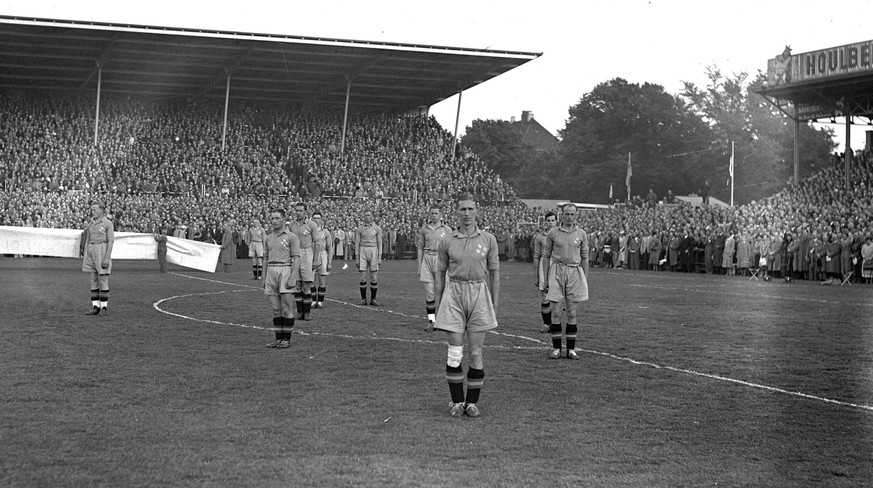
pixel 685 380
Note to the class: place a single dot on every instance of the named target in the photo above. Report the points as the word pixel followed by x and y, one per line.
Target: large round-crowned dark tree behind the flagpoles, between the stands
pixel 616 118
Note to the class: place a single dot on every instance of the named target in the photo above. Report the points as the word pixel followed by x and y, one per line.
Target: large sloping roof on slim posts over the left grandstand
pixel 191 64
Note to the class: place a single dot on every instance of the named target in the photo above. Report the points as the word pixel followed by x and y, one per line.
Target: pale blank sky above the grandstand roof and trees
pixel 584 43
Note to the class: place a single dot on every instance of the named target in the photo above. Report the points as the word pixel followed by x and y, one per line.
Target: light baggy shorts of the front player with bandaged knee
pixel 466 307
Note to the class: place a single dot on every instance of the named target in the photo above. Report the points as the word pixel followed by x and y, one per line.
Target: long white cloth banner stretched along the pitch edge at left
pixel 64 243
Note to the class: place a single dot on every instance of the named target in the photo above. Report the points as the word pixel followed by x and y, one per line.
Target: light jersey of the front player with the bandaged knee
pixel 468 258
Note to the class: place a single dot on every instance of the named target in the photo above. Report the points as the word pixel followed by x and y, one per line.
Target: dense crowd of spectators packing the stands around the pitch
pixel 172 166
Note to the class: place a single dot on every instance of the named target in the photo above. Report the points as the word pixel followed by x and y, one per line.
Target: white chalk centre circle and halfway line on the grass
pixel 749 384
